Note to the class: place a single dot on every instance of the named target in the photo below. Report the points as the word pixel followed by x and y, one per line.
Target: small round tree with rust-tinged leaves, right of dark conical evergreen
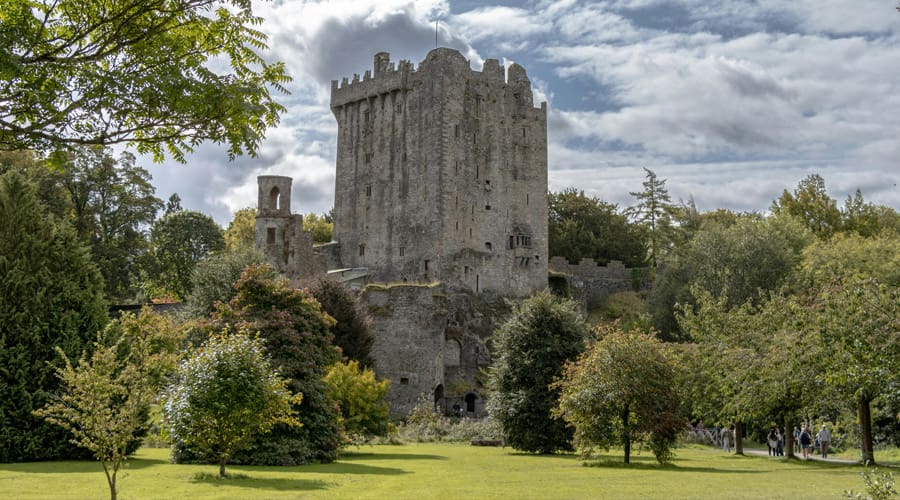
pixel 619 391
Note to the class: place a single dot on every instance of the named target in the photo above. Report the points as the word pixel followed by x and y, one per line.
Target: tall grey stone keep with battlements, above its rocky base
pixel 442 174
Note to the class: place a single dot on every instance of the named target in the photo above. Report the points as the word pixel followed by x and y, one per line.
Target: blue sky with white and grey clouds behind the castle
pixel 730 101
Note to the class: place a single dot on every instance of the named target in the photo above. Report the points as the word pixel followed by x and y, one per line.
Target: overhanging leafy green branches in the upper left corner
pixel 140 72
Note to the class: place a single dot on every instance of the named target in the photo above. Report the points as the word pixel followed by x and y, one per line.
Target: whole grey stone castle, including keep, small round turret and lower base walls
pixel 440 203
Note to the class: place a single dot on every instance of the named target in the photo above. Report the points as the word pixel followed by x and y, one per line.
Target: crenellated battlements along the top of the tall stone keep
pixel 386 77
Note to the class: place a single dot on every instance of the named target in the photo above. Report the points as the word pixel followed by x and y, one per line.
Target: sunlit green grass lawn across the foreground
pixel 446 471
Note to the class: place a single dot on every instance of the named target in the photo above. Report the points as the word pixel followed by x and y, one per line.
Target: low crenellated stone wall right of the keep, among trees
pixel 589 283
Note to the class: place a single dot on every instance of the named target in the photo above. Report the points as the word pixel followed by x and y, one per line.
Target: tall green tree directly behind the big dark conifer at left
pixel 112 203
